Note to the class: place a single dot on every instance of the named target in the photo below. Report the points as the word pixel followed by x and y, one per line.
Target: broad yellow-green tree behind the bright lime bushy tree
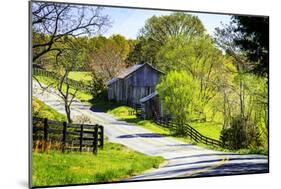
pixel 197 56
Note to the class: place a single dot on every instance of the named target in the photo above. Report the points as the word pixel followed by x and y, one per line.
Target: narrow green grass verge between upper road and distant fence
pixel 81 95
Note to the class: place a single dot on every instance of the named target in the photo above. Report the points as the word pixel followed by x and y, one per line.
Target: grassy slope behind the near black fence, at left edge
pixel 40 109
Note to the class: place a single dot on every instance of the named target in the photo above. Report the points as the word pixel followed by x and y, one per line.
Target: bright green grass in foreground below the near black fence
pixel 112 163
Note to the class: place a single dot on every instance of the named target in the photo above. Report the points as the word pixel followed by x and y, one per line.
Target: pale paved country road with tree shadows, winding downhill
pixel 183 159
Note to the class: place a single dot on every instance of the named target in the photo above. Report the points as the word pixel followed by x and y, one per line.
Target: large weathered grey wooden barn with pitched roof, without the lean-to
pixel 134 84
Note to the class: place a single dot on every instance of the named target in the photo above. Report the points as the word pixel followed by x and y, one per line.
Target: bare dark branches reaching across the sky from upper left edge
pixel 56 20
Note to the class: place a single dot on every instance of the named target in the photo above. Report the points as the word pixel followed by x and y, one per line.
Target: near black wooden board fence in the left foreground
pixel 71 137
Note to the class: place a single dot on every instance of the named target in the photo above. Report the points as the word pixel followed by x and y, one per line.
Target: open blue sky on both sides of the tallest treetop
pixel 128 22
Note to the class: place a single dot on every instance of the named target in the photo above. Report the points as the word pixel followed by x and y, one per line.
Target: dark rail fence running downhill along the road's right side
pixel 189 131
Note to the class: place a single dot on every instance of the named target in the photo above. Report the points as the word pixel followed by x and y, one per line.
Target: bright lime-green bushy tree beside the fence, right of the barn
pixel 179 93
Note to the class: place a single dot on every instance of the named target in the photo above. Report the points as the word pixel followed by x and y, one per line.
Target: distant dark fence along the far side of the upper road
pixel 79 85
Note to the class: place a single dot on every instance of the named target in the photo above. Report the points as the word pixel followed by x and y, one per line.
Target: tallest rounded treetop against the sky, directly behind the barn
pixel 158 30
